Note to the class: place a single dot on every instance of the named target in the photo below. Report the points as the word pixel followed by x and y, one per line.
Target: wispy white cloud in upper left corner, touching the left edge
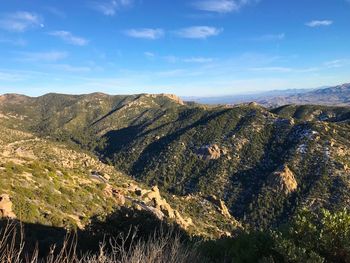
pixel 20 21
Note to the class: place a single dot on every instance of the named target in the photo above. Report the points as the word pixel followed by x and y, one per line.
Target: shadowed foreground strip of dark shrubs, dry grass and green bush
pixel 310 237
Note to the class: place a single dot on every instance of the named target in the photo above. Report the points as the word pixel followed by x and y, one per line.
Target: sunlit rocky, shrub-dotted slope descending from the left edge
pixel 42 181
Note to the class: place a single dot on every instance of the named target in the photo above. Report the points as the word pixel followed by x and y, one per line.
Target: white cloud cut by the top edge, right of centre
pixel 221 6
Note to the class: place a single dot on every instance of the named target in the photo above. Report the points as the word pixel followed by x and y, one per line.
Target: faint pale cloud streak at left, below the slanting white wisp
pixel 50 56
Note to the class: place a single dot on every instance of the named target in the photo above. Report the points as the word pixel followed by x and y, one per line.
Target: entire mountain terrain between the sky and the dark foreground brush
pixel 210 169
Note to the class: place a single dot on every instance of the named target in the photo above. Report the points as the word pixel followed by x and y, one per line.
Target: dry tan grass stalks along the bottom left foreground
pixel 161 247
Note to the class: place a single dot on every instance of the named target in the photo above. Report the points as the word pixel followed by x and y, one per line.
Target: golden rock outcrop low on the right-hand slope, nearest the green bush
pixel 283 180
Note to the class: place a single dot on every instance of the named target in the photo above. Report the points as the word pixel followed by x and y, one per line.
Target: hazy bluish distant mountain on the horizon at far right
pixel 333 96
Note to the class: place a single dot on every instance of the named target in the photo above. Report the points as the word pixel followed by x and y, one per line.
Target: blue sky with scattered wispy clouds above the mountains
pixel 186 47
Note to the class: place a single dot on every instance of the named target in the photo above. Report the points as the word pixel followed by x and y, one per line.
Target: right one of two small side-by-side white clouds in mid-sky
pixel 198 32
